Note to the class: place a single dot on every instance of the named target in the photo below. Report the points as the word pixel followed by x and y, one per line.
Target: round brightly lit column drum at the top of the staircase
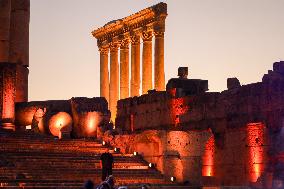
pixel 60 122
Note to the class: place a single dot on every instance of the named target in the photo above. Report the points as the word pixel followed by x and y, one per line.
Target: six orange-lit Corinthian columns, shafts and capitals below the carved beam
pixel 109 84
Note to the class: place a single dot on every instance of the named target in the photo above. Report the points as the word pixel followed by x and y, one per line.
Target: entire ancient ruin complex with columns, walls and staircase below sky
pixel 191 137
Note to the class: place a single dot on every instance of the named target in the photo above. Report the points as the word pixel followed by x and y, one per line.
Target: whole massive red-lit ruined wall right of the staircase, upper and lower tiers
pixel 233 137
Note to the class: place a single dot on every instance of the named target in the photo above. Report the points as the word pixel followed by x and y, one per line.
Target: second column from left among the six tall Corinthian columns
pixel 114 79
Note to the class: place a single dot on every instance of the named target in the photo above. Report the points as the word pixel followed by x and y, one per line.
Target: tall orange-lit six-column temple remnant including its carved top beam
pixel 119 35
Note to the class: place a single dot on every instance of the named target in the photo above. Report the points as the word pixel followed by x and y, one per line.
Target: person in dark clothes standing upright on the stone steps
pixel 106 162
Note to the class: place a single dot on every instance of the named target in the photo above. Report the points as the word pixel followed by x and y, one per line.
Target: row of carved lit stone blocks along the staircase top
pixel 85 113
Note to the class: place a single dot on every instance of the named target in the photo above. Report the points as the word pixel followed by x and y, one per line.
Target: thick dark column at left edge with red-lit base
pixel 14 57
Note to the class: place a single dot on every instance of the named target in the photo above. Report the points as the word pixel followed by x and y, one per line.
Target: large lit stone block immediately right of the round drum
pixel 88 115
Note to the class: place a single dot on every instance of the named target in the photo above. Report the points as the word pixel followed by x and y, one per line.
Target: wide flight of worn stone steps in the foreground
pixel 29 160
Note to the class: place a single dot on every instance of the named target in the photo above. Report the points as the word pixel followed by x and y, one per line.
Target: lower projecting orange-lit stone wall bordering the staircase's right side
pixel 174 153
